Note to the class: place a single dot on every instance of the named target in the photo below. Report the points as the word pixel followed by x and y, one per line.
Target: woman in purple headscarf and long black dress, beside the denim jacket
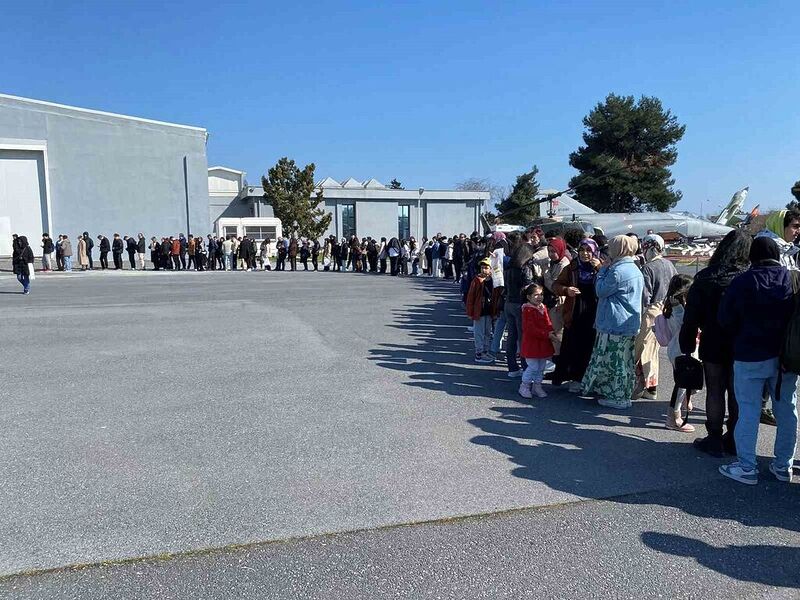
pixel 576 286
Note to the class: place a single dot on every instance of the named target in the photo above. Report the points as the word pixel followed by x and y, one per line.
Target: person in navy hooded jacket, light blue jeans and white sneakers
pixel 756 309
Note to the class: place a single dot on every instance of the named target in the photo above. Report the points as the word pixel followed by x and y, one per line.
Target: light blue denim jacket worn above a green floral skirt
pixel 619 293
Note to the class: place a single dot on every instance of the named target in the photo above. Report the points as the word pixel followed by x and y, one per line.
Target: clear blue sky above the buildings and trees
pixel 431 93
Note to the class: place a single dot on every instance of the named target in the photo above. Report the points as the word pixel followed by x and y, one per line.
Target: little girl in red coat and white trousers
pixel 537 341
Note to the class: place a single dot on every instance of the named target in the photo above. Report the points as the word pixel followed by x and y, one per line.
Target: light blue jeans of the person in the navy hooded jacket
pixel 748 381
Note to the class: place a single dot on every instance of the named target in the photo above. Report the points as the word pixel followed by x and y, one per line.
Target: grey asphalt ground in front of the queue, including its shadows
pixel 265 434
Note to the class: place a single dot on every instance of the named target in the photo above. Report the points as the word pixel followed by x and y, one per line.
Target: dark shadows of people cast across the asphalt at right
pixel 575 446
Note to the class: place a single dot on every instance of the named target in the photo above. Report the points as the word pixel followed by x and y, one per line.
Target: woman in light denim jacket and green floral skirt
pixel 619 286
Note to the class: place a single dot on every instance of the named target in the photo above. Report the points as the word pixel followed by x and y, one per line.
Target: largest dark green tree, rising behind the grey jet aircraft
pixel 623 164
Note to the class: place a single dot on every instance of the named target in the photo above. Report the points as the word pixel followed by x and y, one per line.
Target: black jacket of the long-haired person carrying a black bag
pixel 702 306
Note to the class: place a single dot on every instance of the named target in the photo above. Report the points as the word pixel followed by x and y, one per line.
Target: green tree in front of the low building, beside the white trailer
pixel 294 200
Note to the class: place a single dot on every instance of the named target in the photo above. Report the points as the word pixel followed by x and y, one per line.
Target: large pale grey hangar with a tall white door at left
pixel 67 170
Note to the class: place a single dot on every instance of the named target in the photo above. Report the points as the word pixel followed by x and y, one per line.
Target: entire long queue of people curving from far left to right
pixel 585 310
